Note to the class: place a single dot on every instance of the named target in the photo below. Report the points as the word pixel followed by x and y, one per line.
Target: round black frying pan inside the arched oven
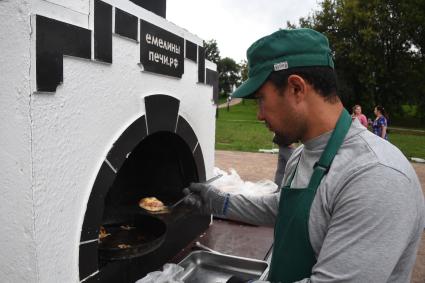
pixel 143 234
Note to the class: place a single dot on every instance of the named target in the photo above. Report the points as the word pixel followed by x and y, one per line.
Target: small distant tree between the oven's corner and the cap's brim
pixel 228 75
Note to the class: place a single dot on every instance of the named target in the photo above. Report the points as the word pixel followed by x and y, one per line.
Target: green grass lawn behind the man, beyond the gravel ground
pixel 240 130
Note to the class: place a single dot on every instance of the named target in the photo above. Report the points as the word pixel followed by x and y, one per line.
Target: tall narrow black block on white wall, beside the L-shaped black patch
pixel 102 31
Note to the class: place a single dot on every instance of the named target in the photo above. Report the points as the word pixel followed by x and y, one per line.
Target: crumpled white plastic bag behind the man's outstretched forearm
pixel 233 184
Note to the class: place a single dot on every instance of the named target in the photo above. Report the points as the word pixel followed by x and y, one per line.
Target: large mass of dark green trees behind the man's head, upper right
pixel 378 50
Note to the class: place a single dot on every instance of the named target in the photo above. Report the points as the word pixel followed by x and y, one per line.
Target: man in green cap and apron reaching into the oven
pixel 351 209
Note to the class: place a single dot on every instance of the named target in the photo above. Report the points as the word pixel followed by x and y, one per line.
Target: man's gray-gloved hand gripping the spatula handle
pixel 207 198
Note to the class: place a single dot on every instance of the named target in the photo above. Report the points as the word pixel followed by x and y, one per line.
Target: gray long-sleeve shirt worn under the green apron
pixel 368 214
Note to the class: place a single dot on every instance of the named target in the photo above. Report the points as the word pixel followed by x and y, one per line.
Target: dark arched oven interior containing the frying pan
pixel 160 166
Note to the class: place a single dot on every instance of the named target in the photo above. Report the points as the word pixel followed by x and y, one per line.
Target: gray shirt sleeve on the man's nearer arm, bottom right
pixel 372 223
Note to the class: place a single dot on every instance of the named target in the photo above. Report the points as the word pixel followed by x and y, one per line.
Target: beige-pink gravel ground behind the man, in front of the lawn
pixel 257 166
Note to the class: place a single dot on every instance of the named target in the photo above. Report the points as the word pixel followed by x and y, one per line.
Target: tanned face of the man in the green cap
pixel 277 109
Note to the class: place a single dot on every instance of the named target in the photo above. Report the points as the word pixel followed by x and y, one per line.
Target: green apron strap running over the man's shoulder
pixel 321 167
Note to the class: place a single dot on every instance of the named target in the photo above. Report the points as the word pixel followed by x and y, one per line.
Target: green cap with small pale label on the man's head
pixel 283 49
